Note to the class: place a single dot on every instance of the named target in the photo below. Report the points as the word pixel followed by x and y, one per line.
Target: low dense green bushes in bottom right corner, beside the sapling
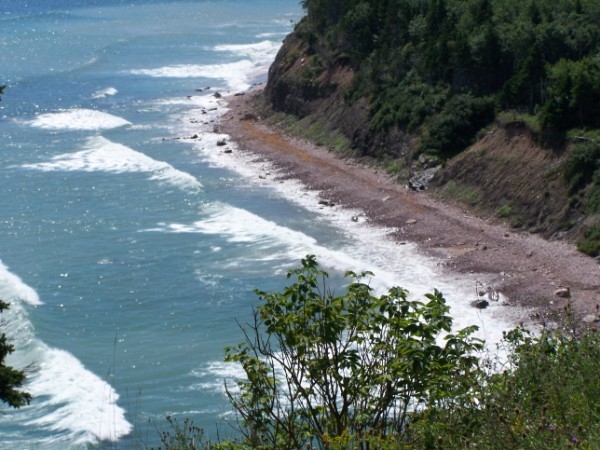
pixel 546 397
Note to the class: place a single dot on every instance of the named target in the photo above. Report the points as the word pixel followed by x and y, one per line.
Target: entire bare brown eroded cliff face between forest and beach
pixel 505 176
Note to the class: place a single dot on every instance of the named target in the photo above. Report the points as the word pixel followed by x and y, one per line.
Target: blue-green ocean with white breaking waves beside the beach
pixel 130 242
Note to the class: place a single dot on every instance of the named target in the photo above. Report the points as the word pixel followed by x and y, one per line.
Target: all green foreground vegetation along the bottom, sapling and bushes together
pixel 356 371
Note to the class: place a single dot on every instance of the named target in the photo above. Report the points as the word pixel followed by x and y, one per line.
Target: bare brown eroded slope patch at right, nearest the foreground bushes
pixel 506 176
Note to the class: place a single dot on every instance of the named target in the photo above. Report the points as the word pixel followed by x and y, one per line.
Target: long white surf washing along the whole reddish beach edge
pixel 370 248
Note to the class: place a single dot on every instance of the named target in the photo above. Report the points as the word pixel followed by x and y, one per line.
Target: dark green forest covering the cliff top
pixel 421 61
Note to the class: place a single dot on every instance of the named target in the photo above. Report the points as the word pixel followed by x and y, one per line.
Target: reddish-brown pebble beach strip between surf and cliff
pixel 527 269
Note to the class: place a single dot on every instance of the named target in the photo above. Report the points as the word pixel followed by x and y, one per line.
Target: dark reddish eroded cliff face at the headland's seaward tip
pixel 310 82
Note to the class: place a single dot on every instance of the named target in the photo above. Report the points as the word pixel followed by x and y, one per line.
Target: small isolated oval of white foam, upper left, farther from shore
pixel 78 119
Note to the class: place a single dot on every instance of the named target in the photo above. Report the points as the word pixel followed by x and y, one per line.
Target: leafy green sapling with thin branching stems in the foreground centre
pixel 320 367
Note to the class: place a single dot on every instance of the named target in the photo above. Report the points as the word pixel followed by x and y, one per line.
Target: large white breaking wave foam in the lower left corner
pixel 70 404
